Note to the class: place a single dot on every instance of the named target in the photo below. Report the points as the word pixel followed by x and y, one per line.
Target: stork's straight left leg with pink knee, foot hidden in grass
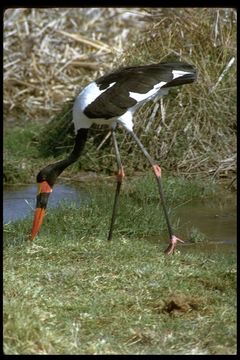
pixel 120 176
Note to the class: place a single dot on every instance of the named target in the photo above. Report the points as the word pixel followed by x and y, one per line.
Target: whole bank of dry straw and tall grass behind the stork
pixel 50 54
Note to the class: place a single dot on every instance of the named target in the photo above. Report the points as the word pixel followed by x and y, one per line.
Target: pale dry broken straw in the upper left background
pixel 49 54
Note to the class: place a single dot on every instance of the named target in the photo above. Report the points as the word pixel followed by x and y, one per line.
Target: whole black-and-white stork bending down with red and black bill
pixel 112 99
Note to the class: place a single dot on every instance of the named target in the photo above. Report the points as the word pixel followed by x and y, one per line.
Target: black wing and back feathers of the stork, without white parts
pixel 116 100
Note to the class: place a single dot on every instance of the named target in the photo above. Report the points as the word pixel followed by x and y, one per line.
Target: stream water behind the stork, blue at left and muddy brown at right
pixel 216 219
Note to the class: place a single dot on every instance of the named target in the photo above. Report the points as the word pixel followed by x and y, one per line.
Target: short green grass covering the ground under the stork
pixel 73 292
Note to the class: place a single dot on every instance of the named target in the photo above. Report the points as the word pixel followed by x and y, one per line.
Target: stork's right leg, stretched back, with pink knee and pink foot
pixel 157 171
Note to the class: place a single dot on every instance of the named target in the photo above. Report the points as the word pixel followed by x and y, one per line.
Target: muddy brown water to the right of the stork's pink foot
pixel 214 218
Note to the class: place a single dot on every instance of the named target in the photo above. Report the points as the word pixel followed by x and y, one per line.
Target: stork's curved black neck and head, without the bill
pixel 52 171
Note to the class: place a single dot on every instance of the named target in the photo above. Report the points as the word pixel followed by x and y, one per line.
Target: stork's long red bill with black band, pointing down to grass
pixel 42 200
